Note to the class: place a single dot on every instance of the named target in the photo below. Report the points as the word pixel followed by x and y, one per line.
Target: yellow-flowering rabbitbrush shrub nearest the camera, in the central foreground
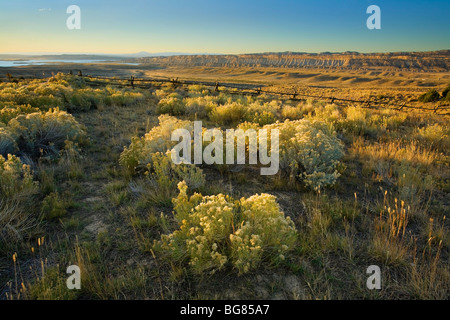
pixel 207 240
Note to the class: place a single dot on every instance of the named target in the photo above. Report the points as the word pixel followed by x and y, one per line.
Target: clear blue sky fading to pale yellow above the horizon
pixel 232 26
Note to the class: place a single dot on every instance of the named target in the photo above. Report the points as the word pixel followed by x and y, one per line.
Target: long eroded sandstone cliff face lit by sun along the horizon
pixel 413 61
